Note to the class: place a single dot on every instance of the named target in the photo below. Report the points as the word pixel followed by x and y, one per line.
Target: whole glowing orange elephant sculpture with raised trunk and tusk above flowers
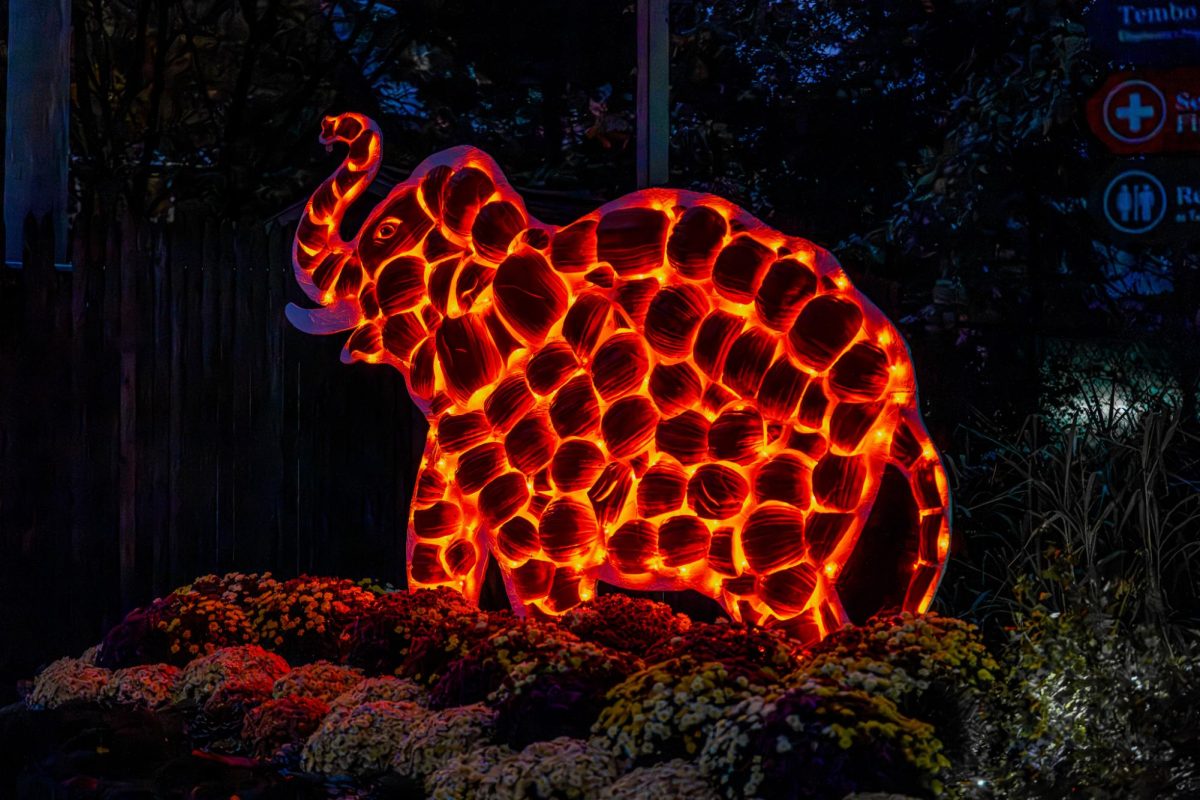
pixel 663 395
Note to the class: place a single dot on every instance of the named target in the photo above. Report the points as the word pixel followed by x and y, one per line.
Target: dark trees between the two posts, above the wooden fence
pixel 202 101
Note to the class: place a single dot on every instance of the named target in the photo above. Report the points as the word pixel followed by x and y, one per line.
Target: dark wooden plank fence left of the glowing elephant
pixel 160 420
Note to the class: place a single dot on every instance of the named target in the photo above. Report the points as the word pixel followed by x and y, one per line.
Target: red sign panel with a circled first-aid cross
pixel 1148 112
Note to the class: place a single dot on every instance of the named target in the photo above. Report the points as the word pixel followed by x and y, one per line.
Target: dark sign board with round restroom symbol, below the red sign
pixel 1151 201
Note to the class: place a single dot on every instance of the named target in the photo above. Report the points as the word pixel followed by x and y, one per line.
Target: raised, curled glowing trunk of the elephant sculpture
pixel 319 254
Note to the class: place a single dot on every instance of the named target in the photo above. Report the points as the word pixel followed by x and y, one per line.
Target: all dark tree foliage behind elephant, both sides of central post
pixel 938 146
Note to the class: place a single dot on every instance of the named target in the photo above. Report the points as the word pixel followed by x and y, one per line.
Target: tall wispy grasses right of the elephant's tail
pixel 1121 506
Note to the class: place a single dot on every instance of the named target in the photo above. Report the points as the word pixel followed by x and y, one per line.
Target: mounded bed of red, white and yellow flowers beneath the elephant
pixel 321 682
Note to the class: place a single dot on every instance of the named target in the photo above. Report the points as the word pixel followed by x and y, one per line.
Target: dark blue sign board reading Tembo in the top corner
pixel 1161 33
